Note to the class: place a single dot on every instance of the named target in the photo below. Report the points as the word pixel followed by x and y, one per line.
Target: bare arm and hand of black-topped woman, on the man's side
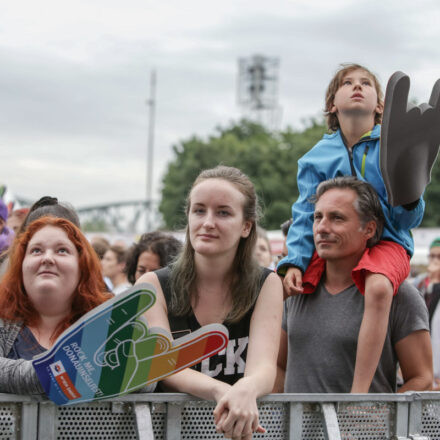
pixel 261 364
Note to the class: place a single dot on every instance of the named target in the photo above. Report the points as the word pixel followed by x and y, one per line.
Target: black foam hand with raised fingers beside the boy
pixel 409 142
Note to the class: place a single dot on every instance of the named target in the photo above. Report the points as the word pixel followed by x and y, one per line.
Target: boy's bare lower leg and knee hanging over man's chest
pixel 378 297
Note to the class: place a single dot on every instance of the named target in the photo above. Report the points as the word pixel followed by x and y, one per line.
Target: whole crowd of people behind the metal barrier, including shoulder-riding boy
pixel 335 314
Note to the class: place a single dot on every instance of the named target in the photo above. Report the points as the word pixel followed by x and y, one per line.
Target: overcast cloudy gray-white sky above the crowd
pixel 74 77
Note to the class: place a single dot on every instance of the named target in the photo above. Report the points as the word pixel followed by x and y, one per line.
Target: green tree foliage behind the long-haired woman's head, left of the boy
pixel 269 159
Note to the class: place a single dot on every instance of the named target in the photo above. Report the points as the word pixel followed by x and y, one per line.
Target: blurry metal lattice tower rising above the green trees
pixel 257 92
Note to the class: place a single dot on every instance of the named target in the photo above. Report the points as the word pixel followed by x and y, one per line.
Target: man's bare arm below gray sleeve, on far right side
pixel 415 358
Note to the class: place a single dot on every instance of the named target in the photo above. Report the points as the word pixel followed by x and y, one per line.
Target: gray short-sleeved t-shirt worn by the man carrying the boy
pixel 322 334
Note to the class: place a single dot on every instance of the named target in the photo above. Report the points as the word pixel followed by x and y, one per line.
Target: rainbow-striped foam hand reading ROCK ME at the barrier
pixel 111 351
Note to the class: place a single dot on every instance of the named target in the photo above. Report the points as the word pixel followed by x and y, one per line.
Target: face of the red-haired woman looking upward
pixel 51 271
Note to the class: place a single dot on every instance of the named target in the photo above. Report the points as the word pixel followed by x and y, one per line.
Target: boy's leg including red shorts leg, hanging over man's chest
pixel 379 274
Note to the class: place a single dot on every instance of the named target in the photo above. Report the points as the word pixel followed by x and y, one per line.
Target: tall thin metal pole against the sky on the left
pixel 150 149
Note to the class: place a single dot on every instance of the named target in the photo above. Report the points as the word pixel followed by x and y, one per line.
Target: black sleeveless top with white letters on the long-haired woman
pixel 227 365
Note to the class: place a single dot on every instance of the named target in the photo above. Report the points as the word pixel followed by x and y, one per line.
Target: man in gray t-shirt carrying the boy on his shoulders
pixel 320 330
